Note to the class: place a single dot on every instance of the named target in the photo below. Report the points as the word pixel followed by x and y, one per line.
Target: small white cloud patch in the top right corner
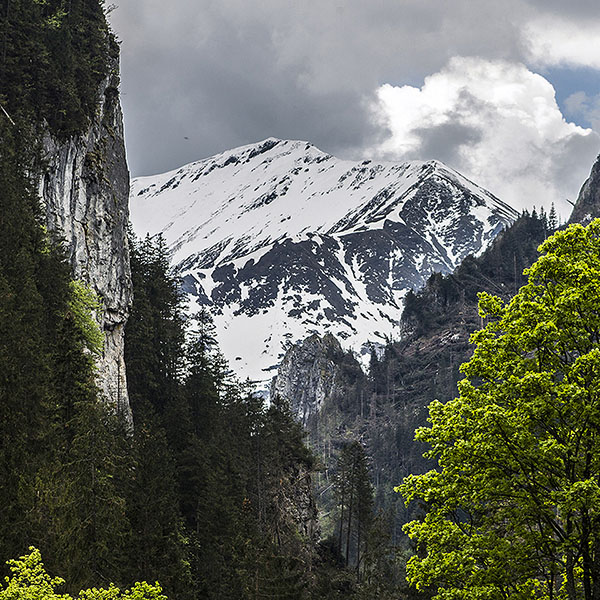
pixel 555 41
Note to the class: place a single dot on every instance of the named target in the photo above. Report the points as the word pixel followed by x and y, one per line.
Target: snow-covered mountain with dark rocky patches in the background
pixel 283 240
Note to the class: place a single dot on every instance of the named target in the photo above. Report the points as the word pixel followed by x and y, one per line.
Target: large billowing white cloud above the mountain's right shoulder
pixel 497 123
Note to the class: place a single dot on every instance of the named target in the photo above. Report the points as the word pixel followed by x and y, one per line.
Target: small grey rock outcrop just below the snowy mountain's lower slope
pixel 308 375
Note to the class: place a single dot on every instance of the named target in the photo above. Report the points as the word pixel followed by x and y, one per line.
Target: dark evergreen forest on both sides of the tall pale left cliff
pixel 209 493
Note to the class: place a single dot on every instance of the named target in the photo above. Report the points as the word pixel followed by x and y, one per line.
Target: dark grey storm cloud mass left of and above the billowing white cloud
pixel 222 73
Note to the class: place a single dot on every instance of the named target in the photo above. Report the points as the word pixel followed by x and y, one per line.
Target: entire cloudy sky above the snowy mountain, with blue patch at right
pixel 505 91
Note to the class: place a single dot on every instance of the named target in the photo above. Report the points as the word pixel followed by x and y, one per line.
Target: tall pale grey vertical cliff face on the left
pixel 85 189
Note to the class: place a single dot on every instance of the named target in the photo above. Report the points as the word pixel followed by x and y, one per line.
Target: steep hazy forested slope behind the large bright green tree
pixel 384 408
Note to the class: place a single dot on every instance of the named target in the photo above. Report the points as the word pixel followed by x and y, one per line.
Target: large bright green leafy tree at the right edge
pixel 514 509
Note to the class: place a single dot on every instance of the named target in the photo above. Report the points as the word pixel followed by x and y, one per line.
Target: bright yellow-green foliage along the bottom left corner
pixel 30 581
